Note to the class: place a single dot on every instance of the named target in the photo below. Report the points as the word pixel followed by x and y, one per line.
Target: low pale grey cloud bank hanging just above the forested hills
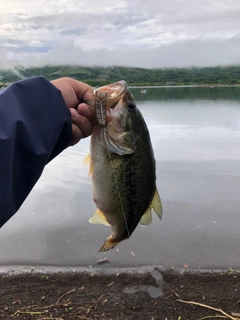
pixel 185 53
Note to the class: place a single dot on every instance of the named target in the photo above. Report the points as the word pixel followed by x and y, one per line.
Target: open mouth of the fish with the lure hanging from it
pixel 107 97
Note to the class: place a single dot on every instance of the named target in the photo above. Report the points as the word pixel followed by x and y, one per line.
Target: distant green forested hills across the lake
pixel 97 76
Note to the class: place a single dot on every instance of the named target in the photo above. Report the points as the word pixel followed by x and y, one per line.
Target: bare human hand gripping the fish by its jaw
pixel 78 96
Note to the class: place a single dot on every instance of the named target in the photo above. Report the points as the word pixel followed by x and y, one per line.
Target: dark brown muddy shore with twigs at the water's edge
pixel 153 294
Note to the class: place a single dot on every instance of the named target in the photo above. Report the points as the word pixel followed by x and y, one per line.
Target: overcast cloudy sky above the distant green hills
pixel 140 33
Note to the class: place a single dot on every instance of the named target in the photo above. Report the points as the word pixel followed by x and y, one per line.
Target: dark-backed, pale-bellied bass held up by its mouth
pixel 122 165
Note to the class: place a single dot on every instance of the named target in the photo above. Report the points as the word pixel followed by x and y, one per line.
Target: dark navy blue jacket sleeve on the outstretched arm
pixel 35 126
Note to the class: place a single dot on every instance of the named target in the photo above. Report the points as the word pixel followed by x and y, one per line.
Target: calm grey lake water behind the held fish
pixel 195 133
